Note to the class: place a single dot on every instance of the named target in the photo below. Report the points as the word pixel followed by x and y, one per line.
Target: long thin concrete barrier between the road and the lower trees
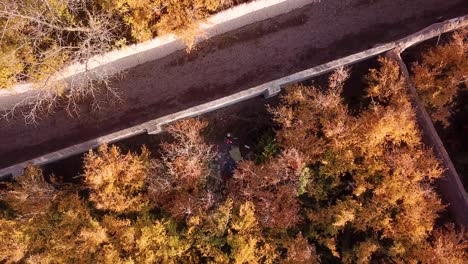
pixel 268 89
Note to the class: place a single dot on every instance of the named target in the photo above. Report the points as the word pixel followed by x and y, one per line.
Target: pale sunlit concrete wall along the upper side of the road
pixel 133 55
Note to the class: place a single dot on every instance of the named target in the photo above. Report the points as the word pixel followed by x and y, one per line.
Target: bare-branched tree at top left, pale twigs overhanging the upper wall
pixel 80 35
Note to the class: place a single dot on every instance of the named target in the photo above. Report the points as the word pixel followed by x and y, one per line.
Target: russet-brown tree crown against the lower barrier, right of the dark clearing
pixel 302 122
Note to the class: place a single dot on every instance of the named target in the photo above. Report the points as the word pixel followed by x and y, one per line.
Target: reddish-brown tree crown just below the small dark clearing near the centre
pixel 272 187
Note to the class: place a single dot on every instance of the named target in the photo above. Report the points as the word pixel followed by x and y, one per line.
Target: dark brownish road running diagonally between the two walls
pixel 255 54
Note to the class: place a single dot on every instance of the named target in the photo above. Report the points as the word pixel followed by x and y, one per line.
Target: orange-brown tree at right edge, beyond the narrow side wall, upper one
pixel 441 74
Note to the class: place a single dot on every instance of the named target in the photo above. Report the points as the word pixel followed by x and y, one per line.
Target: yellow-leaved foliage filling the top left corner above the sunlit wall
pixel 40 37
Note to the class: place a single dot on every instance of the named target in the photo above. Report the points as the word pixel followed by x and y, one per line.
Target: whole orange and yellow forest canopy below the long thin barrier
pixel 343 187
